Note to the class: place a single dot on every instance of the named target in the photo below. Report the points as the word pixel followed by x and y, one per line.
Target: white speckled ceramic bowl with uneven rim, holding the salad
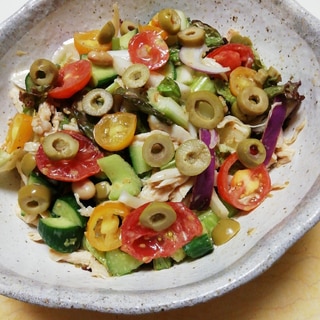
pixel 287 37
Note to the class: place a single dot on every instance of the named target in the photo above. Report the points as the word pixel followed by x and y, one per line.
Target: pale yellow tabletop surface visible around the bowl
pixel 290 289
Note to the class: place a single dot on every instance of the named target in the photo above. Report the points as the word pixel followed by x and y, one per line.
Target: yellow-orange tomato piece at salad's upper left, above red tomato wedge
pixel 85 42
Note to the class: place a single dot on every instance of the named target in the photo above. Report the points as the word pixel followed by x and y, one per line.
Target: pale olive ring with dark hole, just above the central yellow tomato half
pixel 97 102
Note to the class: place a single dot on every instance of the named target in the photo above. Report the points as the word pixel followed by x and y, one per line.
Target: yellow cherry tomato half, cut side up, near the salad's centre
pixel 115 131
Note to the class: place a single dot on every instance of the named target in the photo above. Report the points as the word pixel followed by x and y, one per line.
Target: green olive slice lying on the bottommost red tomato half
pixel 158 216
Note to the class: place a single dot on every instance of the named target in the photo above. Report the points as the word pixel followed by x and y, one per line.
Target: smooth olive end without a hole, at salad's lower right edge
pixel 225 230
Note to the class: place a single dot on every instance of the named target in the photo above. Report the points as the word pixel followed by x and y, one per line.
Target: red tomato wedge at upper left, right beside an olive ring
pixel 72 78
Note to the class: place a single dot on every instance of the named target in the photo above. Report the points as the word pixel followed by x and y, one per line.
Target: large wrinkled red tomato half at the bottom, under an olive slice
pixel 146 244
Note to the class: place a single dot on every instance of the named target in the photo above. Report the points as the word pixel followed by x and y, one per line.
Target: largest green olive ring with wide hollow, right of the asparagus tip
pixel 205 109
